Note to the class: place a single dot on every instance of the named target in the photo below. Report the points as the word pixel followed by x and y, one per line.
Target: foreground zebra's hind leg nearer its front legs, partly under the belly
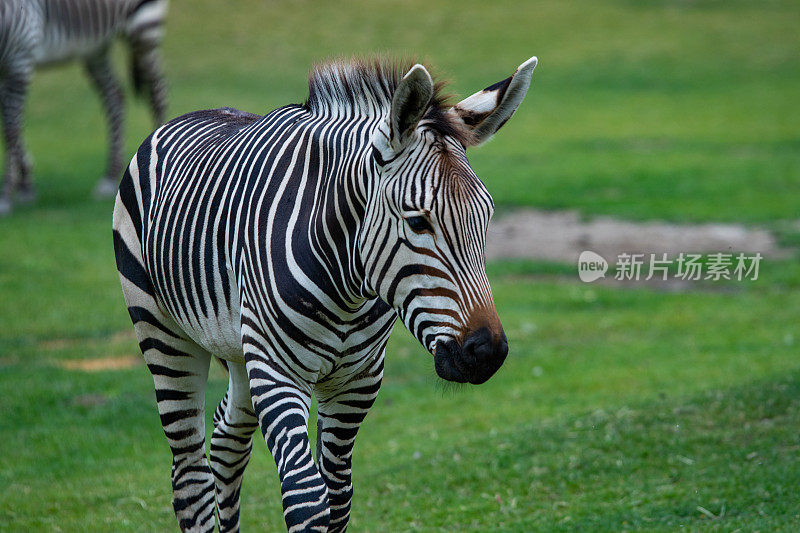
pixel 234 424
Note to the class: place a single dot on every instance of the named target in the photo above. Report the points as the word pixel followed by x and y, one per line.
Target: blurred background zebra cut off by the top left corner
pixel 37 33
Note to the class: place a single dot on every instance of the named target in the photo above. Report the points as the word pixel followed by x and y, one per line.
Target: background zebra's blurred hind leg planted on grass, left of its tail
pixel 108 87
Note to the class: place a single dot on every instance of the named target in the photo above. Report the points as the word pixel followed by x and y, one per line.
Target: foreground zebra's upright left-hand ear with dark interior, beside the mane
pixel 409 103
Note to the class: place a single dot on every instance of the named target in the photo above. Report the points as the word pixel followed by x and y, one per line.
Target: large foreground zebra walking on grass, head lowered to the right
pixel 287 245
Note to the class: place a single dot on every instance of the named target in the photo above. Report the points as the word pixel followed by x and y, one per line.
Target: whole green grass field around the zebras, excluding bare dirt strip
pixel 618 409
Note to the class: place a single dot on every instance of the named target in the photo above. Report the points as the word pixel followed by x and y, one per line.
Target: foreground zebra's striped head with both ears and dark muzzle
pixel 424 234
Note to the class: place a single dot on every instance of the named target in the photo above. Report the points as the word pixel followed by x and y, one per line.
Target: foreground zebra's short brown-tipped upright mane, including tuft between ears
pixel 366 86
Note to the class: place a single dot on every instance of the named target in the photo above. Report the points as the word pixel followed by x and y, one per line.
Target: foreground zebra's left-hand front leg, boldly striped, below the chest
pixel 282 411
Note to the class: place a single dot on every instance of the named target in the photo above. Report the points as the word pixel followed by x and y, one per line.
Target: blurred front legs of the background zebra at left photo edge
pixel 17 168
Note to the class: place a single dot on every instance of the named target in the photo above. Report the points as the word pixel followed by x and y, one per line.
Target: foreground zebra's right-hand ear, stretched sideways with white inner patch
pixel 486 111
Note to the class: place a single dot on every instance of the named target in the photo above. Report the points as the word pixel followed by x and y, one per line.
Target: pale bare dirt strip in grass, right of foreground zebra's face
pixel 562 235
